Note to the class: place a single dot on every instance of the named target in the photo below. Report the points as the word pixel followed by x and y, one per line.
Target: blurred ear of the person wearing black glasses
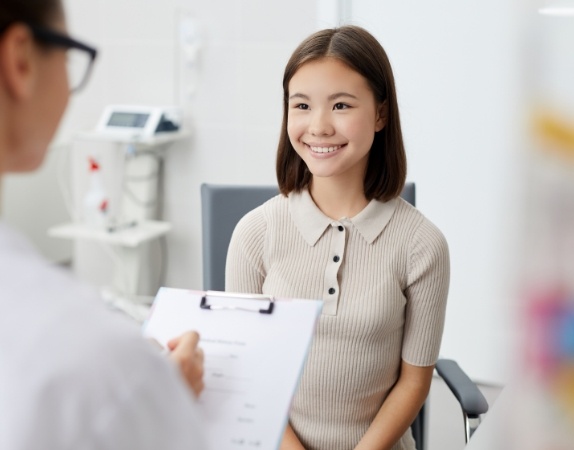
pixel 17 62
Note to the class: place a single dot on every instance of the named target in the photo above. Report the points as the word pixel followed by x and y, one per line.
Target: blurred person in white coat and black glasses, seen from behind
pixel 72 374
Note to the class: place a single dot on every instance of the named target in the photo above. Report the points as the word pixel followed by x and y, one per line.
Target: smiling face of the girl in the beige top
pixel 332 119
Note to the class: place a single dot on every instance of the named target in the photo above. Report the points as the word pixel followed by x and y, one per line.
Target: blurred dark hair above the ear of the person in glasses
pixel 33 12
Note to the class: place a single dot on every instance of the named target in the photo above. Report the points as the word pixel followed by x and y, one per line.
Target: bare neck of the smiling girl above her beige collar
pixel 337 200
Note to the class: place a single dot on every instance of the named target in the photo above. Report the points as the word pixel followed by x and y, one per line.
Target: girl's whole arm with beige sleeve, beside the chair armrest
pixel 426 292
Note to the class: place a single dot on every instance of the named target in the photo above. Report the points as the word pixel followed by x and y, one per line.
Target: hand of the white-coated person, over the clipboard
pixel 189 358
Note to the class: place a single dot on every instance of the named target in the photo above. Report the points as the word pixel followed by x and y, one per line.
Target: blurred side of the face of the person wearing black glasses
pixel 41 109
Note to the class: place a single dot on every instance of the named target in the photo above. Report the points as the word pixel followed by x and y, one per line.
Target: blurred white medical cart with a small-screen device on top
pixel 116 209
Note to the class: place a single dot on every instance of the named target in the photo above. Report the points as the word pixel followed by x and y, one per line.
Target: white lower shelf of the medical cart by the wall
pixel 128 237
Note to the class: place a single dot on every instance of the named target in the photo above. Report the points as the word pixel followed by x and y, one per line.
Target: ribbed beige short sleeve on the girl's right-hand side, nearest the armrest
pixel 427 290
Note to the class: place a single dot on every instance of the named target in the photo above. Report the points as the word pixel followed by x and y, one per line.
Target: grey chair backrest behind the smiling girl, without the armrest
pixel 221 208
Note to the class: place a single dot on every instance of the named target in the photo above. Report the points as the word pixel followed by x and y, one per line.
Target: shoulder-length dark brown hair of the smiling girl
pixel 358 49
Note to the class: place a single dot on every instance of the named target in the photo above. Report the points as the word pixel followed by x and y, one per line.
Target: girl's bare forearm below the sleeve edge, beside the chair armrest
pixel 399 409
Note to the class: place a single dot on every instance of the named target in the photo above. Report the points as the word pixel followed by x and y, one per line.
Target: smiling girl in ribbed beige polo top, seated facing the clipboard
pixel 341 233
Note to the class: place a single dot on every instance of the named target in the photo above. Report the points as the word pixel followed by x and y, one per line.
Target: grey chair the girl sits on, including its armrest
pixel 221 208
